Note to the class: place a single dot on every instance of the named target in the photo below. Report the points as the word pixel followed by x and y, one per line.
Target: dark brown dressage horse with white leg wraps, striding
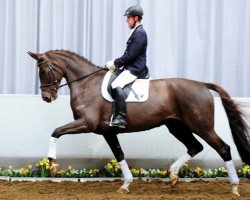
pixel 185 106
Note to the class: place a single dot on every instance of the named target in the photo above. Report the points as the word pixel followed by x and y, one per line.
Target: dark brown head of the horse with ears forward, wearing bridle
pixel 50 75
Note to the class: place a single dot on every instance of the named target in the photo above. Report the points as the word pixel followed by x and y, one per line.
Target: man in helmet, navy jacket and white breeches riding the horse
pixel 132 63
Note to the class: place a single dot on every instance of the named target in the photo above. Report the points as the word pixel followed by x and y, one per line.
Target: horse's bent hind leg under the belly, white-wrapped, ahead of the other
pixel 184 135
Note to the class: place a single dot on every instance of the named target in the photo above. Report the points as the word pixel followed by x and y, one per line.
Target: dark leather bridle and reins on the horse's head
pixel 52 81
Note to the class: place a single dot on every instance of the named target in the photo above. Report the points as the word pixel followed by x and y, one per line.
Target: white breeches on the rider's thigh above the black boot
pixel 123 79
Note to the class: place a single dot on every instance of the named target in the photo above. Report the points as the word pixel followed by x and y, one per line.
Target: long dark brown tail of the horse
pixel 237 123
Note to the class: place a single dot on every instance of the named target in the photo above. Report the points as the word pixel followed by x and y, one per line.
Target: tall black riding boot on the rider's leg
pixel 119 118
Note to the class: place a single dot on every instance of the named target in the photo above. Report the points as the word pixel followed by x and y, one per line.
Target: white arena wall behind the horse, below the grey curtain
pixel 26 123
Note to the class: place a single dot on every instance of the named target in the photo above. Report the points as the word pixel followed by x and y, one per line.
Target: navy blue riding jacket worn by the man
pixel 134 58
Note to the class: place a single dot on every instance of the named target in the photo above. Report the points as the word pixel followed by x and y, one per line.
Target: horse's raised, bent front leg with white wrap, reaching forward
pixel 76 127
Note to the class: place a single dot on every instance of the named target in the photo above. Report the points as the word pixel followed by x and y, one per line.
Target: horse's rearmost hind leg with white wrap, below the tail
pixel 223 150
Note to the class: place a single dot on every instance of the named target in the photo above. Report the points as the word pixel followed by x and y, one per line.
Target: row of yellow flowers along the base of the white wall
pixel 112 168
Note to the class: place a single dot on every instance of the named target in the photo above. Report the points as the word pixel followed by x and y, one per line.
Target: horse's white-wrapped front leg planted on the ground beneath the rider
pixel 114 144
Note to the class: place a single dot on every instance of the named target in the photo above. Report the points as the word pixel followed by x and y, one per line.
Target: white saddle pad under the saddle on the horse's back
pixel 140 87
